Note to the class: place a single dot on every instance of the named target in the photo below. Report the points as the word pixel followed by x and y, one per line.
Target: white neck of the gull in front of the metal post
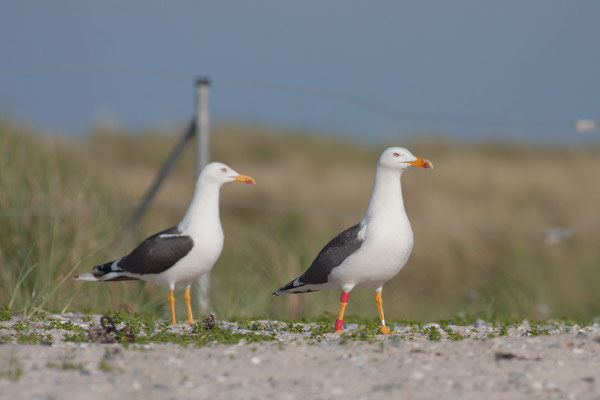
pixel 204 207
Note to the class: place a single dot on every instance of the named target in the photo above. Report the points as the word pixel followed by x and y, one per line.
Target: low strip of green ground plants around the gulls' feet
pixel 135 331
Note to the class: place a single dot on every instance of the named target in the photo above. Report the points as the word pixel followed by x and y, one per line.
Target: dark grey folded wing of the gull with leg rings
pixel 332 255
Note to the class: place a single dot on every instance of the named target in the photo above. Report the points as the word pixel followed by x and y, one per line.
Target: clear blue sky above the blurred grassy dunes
pixel 369 69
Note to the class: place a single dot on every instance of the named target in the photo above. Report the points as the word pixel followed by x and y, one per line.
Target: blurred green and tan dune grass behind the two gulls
pixel 478 218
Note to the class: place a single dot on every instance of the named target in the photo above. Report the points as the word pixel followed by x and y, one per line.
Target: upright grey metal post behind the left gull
pixel 202 158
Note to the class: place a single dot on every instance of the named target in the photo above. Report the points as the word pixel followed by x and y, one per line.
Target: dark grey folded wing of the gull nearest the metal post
pixel 157 253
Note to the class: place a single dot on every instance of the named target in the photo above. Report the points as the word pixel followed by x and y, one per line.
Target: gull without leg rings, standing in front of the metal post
pixel 176 257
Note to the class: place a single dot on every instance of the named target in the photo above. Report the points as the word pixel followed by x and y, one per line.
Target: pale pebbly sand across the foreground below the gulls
pixel 561 363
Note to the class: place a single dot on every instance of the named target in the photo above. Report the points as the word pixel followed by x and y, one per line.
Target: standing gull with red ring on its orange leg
pixel 373 251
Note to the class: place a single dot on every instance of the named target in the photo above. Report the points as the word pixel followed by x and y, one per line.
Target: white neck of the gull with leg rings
pixel 386 203
